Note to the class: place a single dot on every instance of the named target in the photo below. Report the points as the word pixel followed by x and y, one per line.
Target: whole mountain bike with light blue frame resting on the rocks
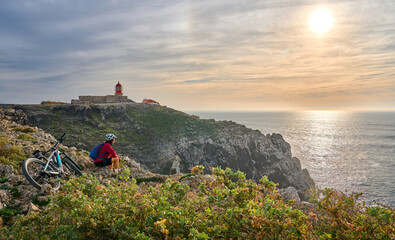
pixel 41 170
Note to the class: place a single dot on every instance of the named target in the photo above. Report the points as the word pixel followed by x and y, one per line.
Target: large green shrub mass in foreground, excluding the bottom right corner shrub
pixel 222 209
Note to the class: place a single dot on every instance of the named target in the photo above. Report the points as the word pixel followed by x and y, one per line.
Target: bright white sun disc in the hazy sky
pixel 321 21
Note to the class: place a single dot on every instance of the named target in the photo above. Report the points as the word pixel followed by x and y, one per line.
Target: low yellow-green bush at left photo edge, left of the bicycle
pixel 10 154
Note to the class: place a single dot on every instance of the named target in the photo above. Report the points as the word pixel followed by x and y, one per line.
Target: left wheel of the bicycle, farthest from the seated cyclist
pixel 33 169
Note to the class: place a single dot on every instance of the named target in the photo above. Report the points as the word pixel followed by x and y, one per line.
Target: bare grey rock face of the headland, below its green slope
pixel 238 148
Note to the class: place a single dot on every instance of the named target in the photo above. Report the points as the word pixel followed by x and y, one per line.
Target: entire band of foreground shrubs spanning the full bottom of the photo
pixel 230 207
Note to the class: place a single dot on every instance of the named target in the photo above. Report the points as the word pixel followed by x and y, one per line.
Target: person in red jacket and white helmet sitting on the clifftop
pixel 107 155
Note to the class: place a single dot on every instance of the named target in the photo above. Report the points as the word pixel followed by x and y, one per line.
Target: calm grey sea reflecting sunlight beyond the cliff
pixel 347 151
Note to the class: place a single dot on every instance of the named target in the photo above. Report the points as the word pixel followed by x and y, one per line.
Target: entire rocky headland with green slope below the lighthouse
pixel 167 141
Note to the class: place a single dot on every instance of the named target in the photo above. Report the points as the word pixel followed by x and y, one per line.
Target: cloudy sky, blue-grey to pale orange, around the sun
pixel 219 55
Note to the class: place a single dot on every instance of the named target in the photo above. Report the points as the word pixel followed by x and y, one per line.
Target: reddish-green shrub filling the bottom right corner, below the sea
pixel 341 216
